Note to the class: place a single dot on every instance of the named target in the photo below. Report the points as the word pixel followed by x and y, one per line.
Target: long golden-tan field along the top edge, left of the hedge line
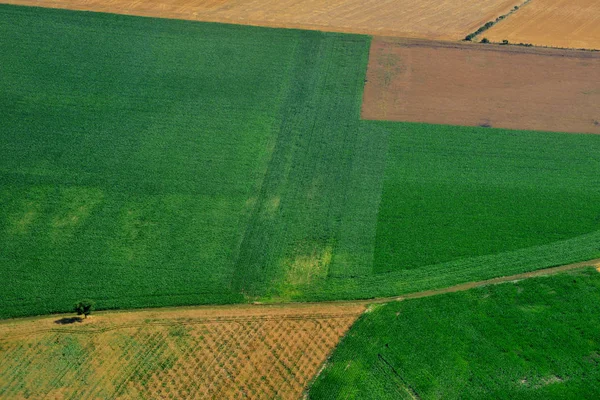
pixel 449 19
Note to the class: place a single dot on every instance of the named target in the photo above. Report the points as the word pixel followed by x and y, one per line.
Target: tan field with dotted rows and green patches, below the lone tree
pixel 220 353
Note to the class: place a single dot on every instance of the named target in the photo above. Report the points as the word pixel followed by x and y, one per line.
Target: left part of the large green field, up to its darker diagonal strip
pixel 132 153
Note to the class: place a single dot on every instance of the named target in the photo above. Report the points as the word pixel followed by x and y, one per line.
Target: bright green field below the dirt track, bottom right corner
pixel 533 339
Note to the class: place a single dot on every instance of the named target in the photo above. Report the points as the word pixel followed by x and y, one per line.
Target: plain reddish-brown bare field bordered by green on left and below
pixel 486 85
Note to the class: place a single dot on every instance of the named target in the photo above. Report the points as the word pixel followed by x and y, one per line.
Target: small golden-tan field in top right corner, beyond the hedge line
pixel 556 23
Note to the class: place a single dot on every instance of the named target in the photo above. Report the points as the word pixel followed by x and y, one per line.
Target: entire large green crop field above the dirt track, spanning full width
pixel 148 162
